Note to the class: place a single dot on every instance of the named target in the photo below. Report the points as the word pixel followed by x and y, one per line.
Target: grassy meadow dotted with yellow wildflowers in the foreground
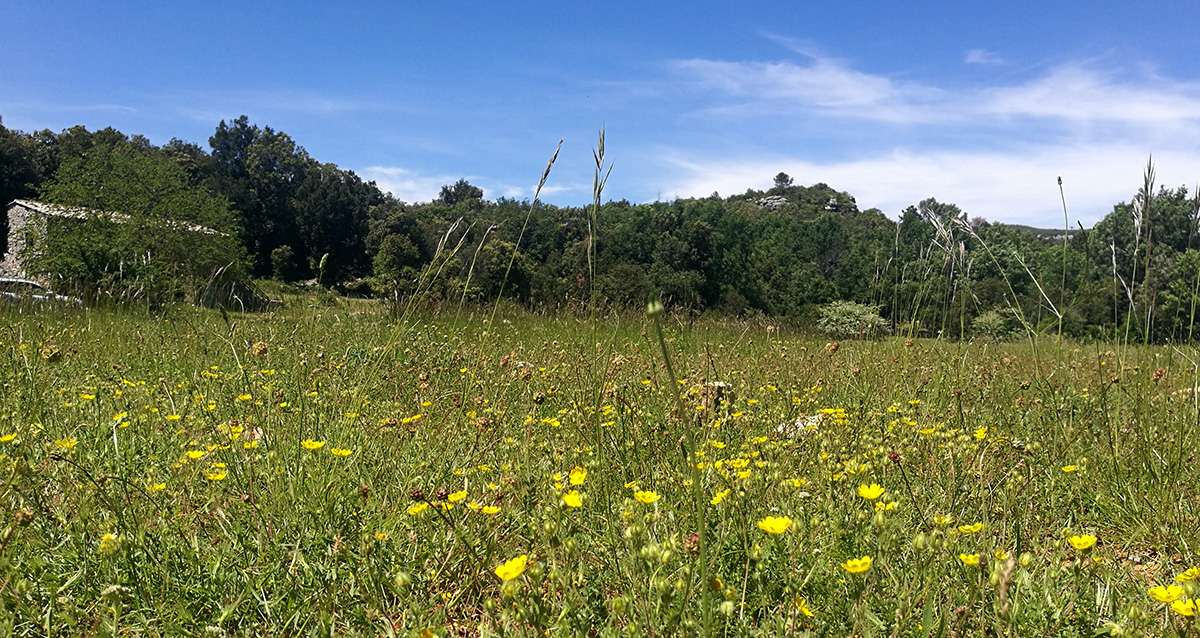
pixel 328 471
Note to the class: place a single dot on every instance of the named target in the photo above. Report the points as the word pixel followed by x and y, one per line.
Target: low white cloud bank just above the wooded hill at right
pixel 1017 185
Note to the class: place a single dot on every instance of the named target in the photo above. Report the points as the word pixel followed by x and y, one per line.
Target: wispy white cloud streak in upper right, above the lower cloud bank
pixel 1067 94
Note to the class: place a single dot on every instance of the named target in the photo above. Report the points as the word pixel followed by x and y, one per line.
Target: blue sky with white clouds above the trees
pixel 983 106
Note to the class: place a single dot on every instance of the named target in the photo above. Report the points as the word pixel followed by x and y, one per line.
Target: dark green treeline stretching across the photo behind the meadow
pixel 781 252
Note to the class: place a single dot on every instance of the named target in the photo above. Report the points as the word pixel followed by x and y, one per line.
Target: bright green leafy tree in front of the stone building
pixel 157 239
